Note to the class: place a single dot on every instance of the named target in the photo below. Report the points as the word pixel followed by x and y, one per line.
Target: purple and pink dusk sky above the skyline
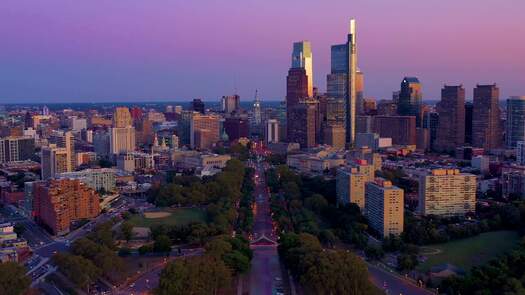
pixel 100 50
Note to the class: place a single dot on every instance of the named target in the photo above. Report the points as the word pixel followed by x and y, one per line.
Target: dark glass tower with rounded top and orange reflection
pixel 410 97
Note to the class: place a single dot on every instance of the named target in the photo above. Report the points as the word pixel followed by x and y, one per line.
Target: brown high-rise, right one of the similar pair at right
pixel 486 124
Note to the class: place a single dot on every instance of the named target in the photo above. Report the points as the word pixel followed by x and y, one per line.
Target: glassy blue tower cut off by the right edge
pixel 515 130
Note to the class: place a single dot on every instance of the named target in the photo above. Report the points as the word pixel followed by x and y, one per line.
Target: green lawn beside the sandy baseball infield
pixel 179 216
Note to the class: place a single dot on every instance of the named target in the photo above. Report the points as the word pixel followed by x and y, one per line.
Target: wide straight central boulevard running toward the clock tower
pixel 265 275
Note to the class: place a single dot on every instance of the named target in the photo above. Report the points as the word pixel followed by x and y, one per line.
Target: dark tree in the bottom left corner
pixel 13 279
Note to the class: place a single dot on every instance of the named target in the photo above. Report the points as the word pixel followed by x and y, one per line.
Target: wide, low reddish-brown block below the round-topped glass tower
pixel 402 129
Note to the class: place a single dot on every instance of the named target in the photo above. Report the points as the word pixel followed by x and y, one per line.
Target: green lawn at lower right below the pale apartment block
pixel 470 252
